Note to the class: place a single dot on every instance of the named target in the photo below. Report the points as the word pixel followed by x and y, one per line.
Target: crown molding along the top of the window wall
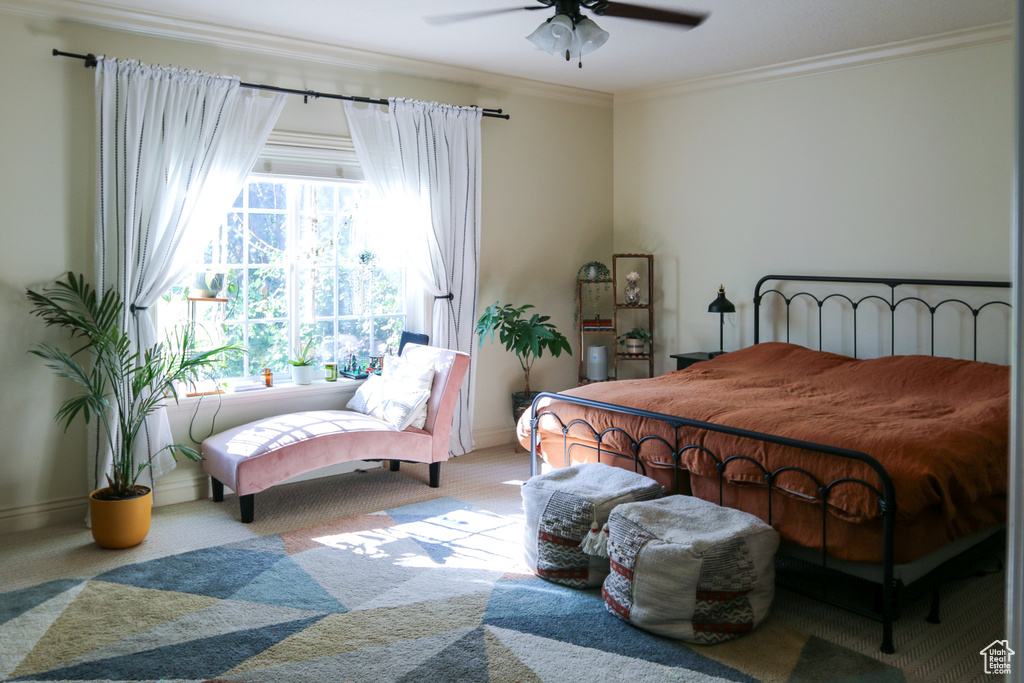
pixel 160 26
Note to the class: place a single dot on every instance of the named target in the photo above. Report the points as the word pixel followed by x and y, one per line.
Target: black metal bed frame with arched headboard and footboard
pixel 883 490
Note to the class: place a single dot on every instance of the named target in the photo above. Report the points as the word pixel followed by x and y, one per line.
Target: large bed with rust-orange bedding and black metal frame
pixel 884 468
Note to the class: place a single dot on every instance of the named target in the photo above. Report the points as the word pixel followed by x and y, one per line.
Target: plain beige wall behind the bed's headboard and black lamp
pixel 902 167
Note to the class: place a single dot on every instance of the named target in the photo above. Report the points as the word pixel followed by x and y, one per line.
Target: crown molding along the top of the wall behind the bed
pixel 957 40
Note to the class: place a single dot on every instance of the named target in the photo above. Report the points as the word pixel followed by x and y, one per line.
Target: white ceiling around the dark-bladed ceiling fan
pixel 738 35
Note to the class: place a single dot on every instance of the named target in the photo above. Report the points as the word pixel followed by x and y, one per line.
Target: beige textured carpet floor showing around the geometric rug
pixel 973 608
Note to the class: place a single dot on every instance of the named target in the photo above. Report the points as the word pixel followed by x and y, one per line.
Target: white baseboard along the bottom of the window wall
pixel 37 516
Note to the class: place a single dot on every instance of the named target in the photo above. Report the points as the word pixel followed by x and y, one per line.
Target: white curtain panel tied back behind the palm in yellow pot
pixel 176 148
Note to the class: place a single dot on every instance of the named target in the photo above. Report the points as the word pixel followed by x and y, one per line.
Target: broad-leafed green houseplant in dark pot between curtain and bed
pixel 527 337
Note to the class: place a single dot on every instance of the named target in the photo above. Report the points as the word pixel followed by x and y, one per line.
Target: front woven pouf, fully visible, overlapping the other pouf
pixel 690 570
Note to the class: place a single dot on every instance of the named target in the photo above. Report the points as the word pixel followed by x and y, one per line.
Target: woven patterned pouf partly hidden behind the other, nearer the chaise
pixel 565 507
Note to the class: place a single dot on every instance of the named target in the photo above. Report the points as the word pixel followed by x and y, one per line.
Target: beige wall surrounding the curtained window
pixel 547 207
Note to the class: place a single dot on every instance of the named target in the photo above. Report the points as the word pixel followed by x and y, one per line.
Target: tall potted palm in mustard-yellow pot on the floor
pixel 121 389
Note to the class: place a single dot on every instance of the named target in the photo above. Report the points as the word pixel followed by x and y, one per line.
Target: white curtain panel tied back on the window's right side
pixel 424 161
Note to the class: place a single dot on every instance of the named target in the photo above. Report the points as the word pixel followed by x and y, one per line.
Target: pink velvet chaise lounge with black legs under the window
pixel 257 456
